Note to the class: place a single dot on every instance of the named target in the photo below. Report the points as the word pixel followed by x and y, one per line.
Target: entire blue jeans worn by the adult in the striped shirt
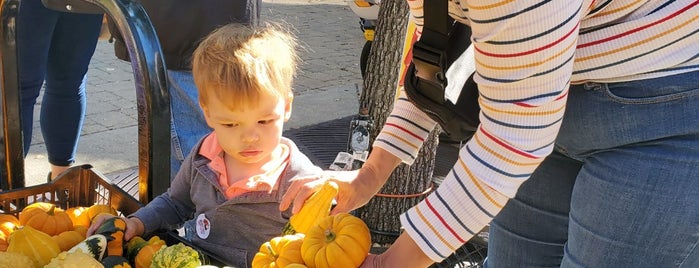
pixel 621 188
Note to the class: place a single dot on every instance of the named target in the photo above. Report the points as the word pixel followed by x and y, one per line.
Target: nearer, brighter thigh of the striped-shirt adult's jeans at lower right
pixel 647 197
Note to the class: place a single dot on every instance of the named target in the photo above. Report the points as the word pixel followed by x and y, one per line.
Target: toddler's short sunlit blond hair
pixel 237 64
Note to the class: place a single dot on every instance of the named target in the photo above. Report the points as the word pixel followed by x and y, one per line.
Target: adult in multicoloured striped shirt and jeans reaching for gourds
pixel 588 147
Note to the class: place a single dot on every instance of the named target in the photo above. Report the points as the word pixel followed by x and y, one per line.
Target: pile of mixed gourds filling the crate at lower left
pixel 44 235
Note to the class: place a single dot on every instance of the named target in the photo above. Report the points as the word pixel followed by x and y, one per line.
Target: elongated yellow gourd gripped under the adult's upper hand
pixel 314 209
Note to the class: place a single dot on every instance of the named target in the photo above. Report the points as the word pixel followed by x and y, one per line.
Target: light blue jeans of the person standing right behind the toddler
pixel 188 123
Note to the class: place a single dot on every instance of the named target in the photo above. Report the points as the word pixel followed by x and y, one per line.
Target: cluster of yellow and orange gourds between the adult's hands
pixel 313 238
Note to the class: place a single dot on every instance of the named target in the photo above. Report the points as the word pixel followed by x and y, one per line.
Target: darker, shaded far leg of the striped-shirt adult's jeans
pixel 531 230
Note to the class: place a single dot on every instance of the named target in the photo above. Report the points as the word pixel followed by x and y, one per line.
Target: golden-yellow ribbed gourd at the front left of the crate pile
pixel 36 245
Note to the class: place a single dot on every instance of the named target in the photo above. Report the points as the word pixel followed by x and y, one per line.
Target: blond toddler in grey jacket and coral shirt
pixel 231 183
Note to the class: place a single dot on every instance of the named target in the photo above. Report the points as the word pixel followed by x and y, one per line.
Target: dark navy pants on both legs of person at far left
pixel 55 47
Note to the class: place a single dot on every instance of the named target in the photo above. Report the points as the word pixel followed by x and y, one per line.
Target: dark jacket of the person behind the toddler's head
pixel 182 24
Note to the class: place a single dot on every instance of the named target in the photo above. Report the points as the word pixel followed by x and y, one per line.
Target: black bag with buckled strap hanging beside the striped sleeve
pixel 441 43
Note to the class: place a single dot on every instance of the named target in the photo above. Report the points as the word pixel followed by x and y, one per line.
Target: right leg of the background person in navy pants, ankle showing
pixel 64 103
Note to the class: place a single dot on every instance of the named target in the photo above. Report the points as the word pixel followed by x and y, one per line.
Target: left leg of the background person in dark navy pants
pixel 35 26
